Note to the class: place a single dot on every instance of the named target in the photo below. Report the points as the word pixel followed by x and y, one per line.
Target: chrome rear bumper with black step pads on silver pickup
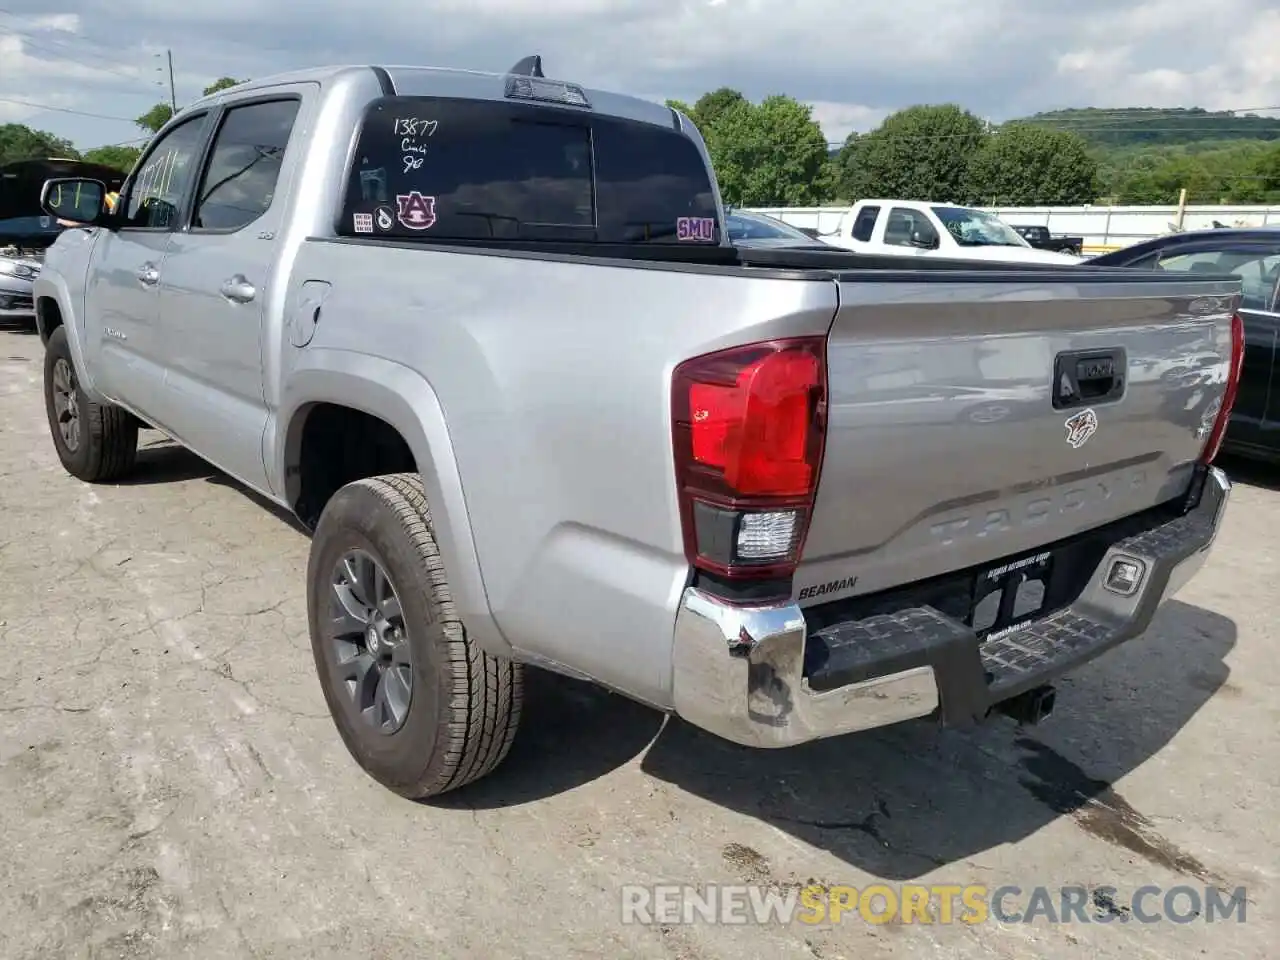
pixel 740 671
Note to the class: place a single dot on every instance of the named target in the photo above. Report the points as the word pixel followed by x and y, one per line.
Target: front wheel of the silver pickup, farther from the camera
pixel 106 445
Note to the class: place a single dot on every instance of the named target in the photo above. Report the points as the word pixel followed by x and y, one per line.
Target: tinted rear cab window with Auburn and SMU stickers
pixel 452 171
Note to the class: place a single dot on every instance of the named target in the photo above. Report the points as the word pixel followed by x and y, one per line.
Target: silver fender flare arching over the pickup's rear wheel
pixel 408 403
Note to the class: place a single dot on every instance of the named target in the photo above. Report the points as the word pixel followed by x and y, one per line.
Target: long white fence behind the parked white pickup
pixel 1103 227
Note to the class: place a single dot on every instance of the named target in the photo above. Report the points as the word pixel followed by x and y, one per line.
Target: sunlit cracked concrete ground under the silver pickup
pixel 172 787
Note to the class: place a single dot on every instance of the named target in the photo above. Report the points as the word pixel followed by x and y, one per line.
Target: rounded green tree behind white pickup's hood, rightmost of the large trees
pixel 1027 166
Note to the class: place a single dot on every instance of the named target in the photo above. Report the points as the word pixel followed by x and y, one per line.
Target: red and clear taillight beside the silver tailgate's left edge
pixel 748 427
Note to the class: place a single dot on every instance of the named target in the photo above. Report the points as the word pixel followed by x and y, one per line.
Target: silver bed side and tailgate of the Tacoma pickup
pixel 556 382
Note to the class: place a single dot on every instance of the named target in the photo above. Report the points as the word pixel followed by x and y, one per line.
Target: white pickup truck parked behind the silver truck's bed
pixel 918 228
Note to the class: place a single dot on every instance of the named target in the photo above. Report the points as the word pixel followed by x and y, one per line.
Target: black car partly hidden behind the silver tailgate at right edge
pixel 1254 255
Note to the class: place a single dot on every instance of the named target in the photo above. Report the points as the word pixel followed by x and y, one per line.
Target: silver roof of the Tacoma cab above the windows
pixel 450 83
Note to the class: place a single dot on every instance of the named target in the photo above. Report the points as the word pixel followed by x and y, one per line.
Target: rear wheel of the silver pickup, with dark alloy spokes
pixel 465 705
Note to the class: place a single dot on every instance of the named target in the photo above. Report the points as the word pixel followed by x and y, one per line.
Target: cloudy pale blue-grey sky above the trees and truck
pixel 102 62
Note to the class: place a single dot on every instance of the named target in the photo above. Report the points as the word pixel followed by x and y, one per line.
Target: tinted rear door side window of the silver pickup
pixel 244 166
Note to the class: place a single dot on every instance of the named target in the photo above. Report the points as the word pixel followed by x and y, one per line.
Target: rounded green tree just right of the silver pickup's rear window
pixel 771 153
